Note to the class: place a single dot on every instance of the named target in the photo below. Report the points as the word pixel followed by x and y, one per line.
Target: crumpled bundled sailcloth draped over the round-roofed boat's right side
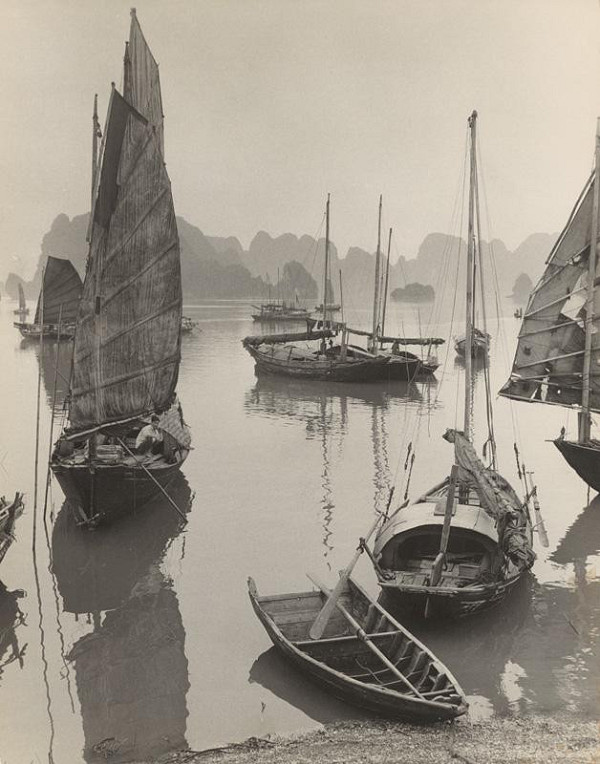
pixel 497 498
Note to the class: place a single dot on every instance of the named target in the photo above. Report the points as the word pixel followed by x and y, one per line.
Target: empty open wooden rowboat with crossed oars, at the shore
pixel 364 657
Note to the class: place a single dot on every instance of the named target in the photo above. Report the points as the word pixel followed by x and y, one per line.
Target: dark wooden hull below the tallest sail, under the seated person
pixel 106 492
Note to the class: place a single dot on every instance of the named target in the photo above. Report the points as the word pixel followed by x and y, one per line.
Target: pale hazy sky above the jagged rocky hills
pixel 270 104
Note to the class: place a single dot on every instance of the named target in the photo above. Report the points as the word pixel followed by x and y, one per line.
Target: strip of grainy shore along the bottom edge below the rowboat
pixel 500 741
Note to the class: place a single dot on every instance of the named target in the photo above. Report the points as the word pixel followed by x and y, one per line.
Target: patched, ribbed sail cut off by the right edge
pixel 548 365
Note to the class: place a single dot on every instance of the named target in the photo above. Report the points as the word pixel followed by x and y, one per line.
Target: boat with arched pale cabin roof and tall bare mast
pixel 464 544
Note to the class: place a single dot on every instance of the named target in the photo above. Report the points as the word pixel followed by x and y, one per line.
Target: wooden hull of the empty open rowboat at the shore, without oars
pixel 319 658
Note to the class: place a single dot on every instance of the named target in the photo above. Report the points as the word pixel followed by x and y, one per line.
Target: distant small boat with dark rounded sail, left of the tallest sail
pixel 58 303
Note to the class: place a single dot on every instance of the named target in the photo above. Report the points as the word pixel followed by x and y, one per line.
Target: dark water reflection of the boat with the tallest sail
pixel 131 670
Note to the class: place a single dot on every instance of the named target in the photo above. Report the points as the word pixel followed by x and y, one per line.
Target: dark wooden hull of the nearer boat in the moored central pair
pixel 335 370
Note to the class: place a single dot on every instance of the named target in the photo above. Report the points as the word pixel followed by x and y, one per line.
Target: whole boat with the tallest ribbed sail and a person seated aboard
pixel 127 347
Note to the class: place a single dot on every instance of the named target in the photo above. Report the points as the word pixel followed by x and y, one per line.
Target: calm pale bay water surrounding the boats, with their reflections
pixel 139 638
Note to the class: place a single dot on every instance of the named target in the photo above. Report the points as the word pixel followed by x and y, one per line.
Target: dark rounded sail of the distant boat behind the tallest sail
pixel 61 292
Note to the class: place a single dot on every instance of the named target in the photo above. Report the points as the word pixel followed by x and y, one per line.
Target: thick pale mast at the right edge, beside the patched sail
pixel 584 415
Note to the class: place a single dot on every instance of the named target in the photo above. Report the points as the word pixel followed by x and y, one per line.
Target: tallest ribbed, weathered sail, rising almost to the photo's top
pixel 127 344
